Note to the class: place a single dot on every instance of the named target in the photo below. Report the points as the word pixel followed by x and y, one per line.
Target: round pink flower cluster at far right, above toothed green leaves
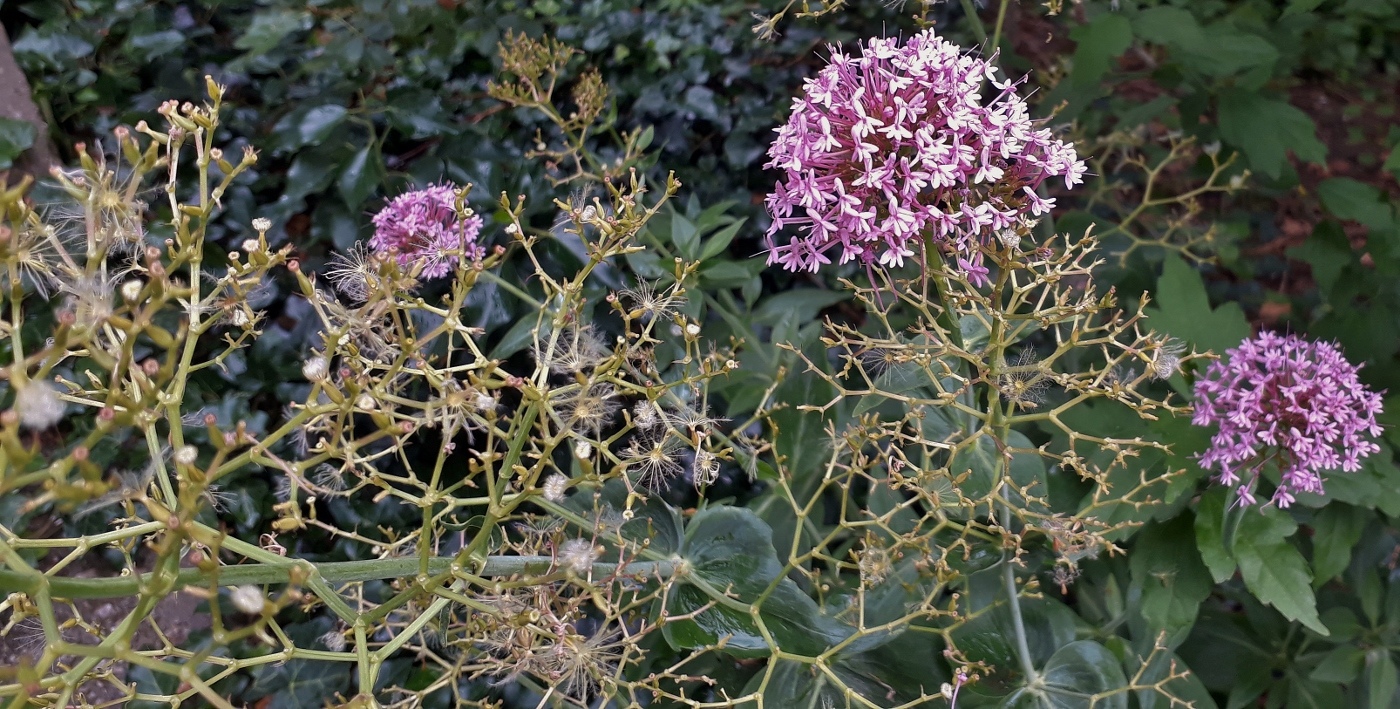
pixel 1289 400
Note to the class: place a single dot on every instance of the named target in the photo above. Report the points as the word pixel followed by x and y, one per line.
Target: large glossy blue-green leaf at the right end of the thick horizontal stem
pixel 734 570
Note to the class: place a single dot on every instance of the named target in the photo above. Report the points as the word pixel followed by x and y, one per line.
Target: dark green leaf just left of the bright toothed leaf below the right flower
pixel 1171 575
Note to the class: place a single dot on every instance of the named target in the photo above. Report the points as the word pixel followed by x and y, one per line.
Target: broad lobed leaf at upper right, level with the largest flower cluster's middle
pixel 1266 130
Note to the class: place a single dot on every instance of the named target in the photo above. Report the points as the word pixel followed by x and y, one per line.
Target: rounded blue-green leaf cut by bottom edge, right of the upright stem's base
pixel 1077 677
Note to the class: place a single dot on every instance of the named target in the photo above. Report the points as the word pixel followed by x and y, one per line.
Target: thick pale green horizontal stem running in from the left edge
pixel 331 572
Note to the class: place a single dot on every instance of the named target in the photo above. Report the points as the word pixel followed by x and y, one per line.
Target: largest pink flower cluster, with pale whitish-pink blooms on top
pixel 897 146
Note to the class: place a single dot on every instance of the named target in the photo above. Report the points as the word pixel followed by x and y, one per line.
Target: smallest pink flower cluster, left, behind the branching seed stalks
pixel 425 228
